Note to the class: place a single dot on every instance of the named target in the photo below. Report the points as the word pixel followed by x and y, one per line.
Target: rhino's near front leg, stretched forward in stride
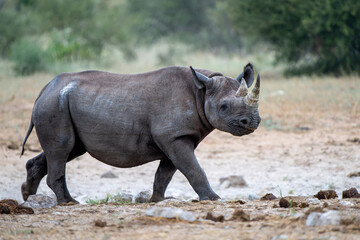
pixel 181 153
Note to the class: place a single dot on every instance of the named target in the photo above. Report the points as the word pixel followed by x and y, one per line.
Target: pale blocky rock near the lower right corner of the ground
pixel 322 219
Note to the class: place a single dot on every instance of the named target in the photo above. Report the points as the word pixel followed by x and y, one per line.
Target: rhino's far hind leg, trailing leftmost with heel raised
pixel 36 169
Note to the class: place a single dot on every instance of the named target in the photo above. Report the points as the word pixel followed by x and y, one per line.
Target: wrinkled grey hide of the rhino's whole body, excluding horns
pixel 129 120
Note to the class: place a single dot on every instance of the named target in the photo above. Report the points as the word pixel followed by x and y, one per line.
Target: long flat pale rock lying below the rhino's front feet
pixel 170 212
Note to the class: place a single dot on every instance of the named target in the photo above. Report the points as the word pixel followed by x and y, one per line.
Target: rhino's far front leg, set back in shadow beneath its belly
pixel 163 176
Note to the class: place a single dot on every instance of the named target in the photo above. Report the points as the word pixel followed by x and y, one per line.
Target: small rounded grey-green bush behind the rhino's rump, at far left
pixel 28 57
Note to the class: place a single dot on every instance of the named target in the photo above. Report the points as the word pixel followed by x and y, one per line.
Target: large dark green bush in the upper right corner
pixel 310 36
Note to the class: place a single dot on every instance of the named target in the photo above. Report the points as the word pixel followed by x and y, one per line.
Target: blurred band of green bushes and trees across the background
pixel 309 37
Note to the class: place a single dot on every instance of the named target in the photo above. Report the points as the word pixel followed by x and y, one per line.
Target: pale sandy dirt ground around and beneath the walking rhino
pixel 298 156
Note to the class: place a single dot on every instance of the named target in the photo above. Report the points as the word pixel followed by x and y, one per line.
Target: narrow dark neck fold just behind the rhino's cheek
pixel 205 127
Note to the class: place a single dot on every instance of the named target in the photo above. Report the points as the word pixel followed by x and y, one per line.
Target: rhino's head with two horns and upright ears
pixel 229 106
